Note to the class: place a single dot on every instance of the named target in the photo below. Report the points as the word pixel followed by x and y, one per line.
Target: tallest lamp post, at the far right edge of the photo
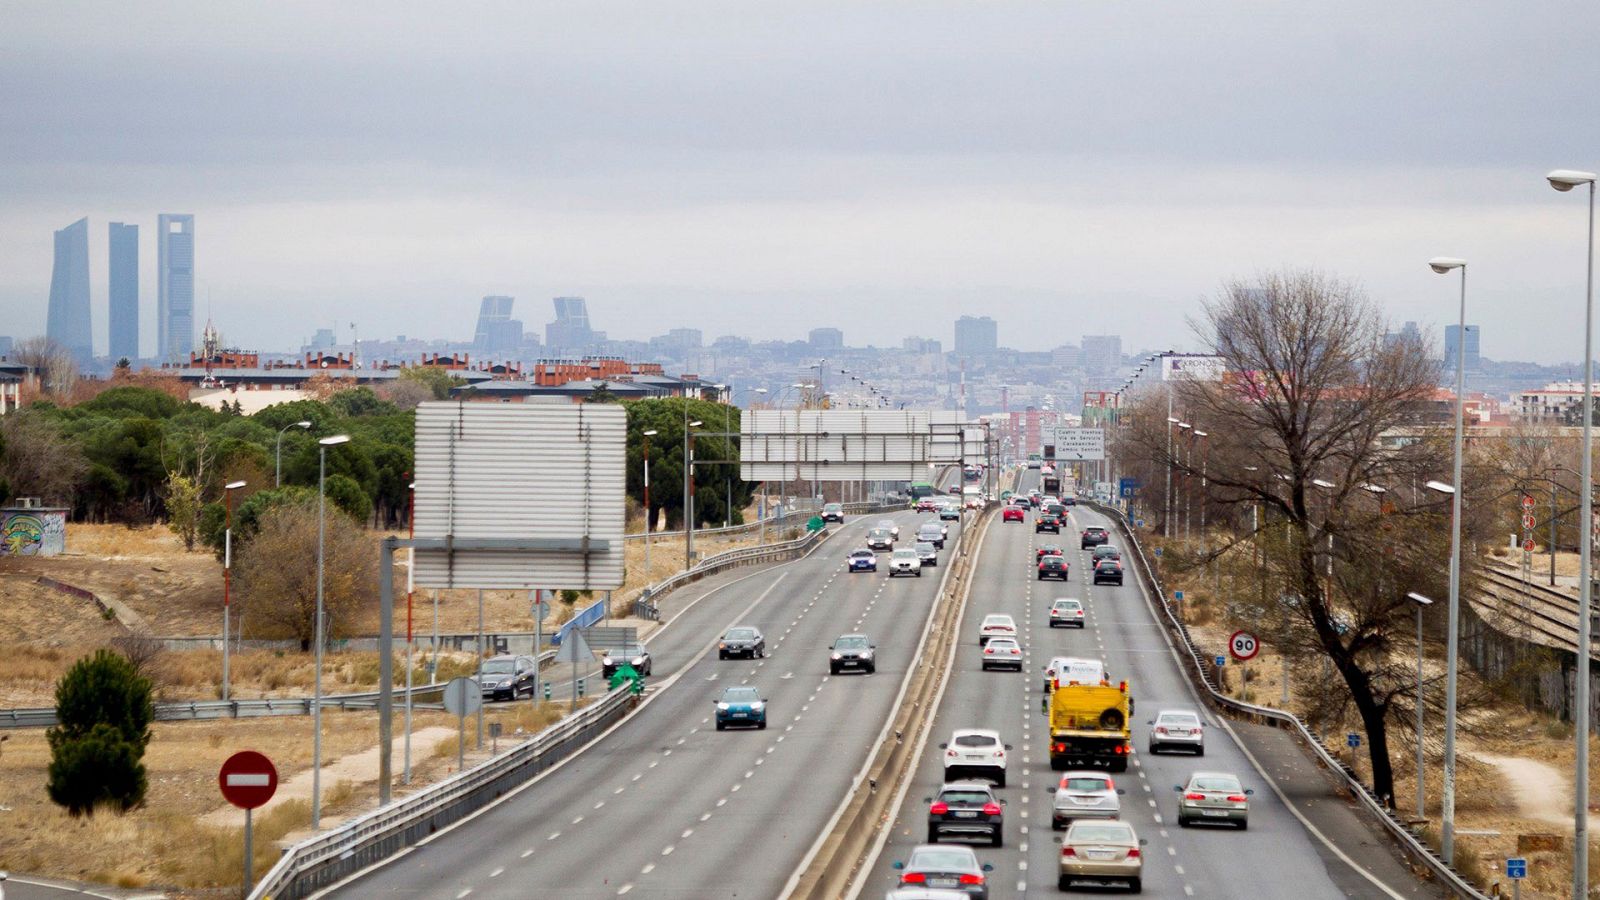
pixel 1566 180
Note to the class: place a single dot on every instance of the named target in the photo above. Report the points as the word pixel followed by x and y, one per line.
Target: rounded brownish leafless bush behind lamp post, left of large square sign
pixel 278 574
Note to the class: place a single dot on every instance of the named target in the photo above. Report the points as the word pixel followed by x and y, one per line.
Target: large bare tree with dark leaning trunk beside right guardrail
pixel 1303 430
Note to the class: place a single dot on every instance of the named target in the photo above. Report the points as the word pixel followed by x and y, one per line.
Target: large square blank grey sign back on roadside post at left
pixel 546 475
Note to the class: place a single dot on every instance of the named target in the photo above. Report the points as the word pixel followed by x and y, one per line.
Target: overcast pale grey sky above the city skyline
pixel 759 169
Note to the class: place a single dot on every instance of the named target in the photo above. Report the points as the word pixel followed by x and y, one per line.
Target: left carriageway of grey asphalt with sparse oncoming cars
pixel 666 806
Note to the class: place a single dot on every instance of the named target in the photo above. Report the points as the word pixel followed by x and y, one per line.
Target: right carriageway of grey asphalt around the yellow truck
pixel 1276 858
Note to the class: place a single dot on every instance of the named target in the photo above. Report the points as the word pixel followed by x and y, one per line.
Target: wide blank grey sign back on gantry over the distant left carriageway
pixel 847 444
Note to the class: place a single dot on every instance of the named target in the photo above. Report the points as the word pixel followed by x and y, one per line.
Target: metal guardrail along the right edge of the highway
pixel 1282 718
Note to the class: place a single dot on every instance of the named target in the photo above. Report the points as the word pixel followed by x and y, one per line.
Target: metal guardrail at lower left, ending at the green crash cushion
pixel 326 859
